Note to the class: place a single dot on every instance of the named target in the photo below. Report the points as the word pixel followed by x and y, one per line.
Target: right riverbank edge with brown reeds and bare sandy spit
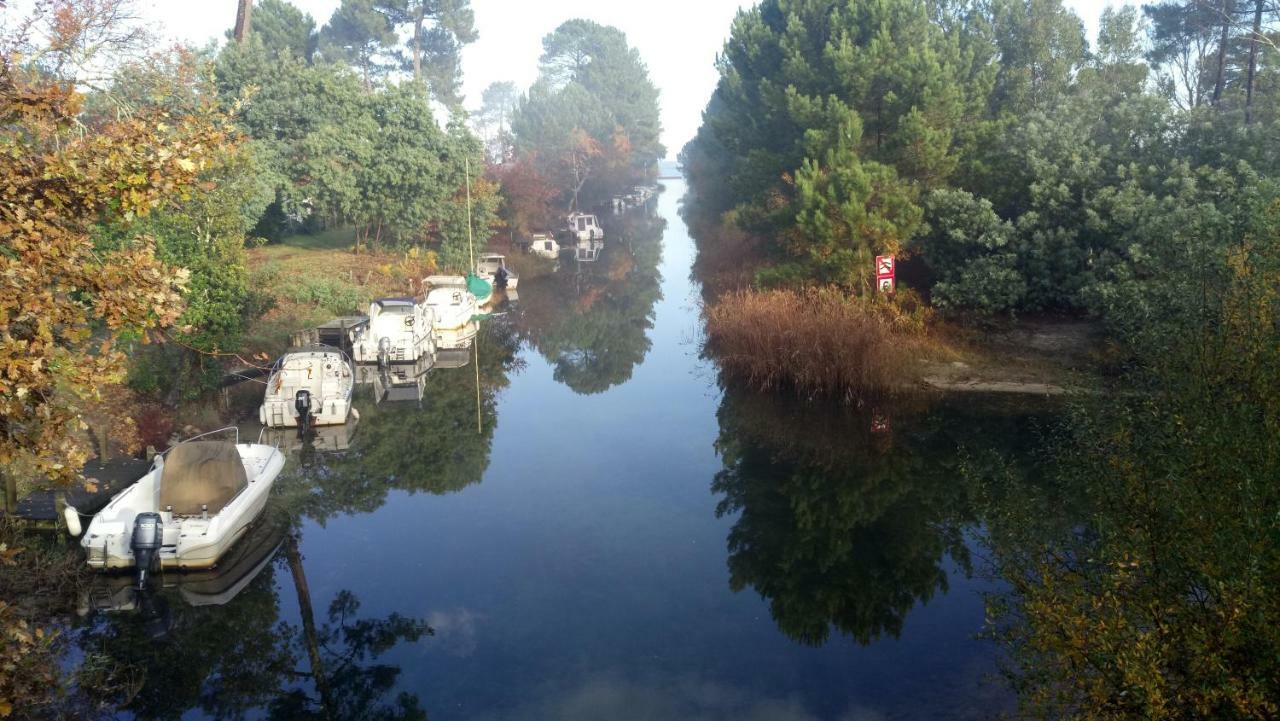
pixel 828 344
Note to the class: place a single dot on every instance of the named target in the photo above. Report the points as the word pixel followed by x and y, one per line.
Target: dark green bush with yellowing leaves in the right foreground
pixel 1158 600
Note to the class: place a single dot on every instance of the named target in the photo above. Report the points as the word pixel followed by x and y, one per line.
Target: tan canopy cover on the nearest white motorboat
pixel 202 473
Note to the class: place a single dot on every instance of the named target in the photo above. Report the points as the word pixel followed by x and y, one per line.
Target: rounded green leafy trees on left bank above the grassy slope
pixel 377 161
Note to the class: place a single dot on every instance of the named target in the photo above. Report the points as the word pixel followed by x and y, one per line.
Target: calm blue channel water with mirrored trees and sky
pixel 623 540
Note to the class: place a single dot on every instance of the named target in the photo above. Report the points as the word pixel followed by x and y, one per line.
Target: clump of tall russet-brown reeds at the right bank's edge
pixel 819 343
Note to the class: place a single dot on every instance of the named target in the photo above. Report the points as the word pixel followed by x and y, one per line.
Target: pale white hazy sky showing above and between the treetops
pixel 678 39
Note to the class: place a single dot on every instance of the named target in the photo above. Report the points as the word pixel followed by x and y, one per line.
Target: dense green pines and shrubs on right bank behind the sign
pixel 1048 175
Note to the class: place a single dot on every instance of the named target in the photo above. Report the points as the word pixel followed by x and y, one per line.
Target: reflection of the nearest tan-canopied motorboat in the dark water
pixel 214 587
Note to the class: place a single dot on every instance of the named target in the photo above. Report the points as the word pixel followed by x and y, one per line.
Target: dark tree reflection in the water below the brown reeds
pixel 847 518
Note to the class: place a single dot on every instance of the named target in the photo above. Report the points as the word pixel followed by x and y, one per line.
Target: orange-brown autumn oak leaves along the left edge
pixel 67 305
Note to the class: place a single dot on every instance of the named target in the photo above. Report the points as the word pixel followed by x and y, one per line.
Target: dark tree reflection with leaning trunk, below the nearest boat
pixel 170 658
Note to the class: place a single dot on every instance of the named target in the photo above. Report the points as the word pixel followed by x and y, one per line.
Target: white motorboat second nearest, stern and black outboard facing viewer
pixel 308 387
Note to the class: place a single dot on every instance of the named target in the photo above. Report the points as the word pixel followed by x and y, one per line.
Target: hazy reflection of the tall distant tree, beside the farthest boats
pixel 591 321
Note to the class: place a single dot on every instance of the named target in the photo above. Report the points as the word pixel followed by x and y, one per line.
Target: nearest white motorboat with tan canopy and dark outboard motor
pixel 198 500
